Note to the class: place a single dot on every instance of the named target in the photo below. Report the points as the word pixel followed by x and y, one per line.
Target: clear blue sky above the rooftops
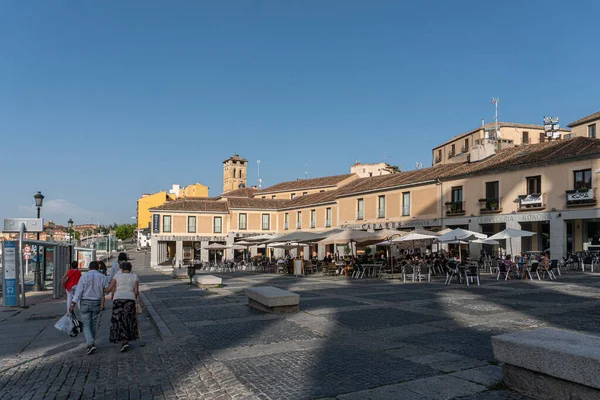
pixel 101 101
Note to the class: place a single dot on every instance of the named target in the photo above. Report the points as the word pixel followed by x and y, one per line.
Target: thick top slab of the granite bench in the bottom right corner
pixel 567 355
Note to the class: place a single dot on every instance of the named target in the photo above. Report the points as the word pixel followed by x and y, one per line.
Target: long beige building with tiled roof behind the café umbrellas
pixel 548 188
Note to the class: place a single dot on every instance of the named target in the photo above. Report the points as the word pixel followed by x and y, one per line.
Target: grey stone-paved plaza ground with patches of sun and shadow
pixel 352 339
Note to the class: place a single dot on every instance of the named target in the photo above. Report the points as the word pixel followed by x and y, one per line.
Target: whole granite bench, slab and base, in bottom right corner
pixel 550 363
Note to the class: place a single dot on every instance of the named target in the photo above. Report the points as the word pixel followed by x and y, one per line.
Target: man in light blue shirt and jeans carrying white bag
pixel 89 293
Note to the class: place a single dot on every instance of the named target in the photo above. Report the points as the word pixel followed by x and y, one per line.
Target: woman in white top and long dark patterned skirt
pixel 123 323
